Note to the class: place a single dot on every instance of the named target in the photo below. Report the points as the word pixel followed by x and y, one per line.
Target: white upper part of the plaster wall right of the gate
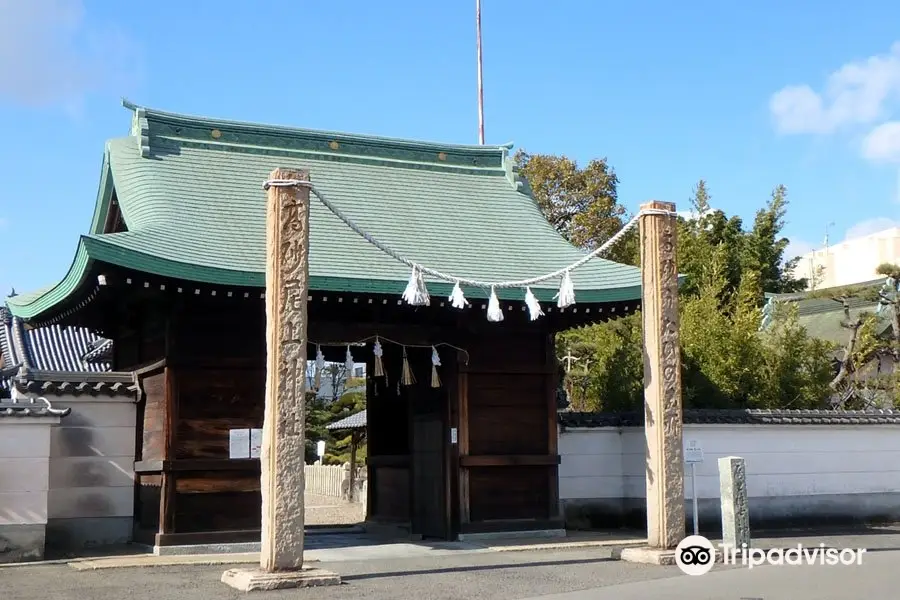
pixel 782 460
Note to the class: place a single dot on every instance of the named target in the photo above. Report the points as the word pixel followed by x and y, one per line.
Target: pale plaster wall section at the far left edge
pixel 24 469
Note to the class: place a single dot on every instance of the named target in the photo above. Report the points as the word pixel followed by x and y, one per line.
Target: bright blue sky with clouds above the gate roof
pixel 745 96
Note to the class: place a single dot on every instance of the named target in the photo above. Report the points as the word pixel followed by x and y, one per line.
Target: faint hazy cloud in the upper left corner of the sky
pixel 51 56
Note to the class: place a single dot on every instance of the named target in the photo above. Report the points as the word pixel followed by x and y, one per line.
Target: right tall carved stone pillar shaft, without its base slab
pixel 662 378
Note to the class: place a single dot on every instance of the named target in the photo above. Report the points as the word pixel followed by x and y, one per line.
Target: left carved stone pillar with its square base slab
pixel 282 457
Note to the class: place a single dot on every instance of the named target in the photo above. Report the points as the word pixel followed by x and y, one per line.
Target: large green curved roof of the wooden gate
pixel 190 193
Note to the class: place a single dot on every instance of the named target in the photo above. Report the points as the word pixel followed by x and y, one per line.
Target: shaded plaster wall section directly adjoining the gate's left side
pixel 92 459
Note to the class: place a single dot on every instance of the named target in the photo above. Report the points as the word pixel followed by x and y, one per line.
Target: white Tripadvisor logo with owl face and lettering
pixel 695 555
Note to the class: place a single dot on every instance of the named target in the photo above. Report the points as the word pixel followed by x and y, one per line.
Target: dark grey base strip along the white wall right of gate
pixel 765 512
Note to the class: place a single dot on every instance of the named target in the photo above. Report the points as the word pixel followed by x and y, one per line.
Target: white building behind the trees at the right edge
pixel 851 262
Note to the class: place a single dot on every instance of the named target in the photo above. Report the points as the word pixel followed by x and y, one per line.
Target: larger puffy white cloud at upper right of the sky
pixel 855 94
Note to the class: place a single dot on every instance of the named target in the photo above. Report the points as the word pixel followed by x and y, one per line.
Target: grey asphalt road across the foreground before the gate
pixel 548 575
